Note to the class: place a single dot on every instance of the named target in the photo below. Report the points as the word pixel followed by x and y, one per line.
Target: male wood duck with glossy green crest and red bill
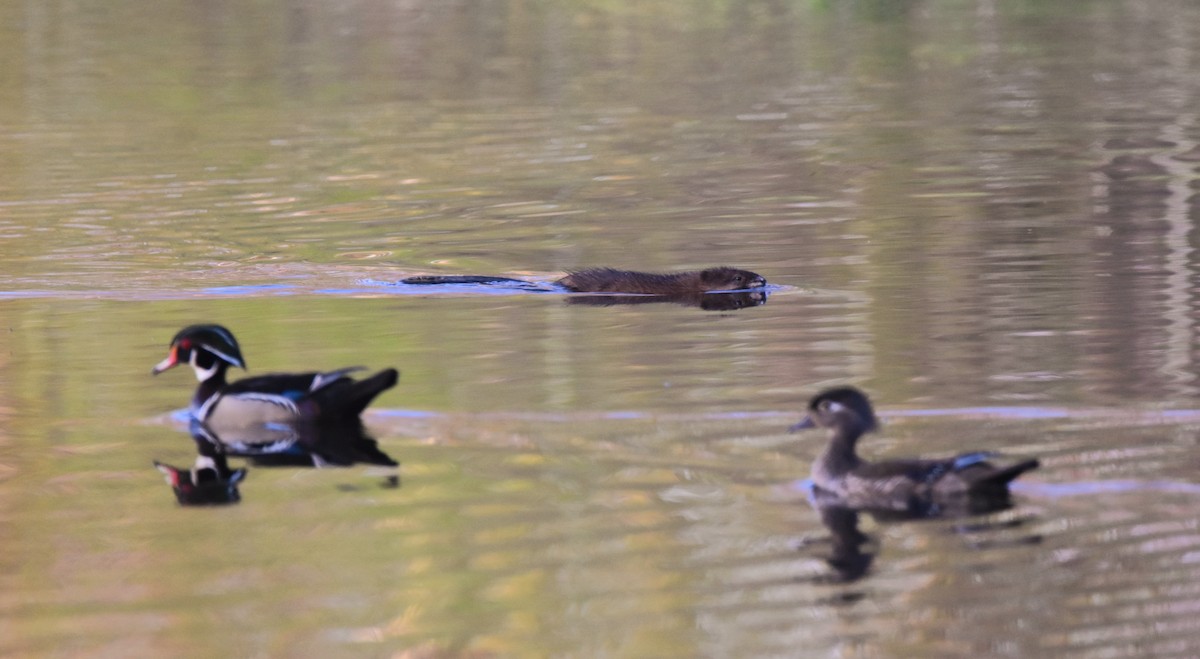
pixel 271 399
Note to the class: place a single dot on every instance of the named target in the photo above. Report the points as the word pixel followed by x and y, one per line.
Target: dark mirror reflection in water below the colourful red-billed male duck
pixel 212 482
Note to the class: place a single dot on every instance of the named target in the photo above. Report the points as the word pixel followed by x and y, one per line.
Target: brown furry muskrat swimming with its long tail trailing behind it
pixel 610 280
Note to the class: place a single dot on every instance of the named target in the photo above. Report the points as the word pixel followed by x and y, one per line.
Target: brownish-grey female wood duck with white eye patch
pixel 917 487
